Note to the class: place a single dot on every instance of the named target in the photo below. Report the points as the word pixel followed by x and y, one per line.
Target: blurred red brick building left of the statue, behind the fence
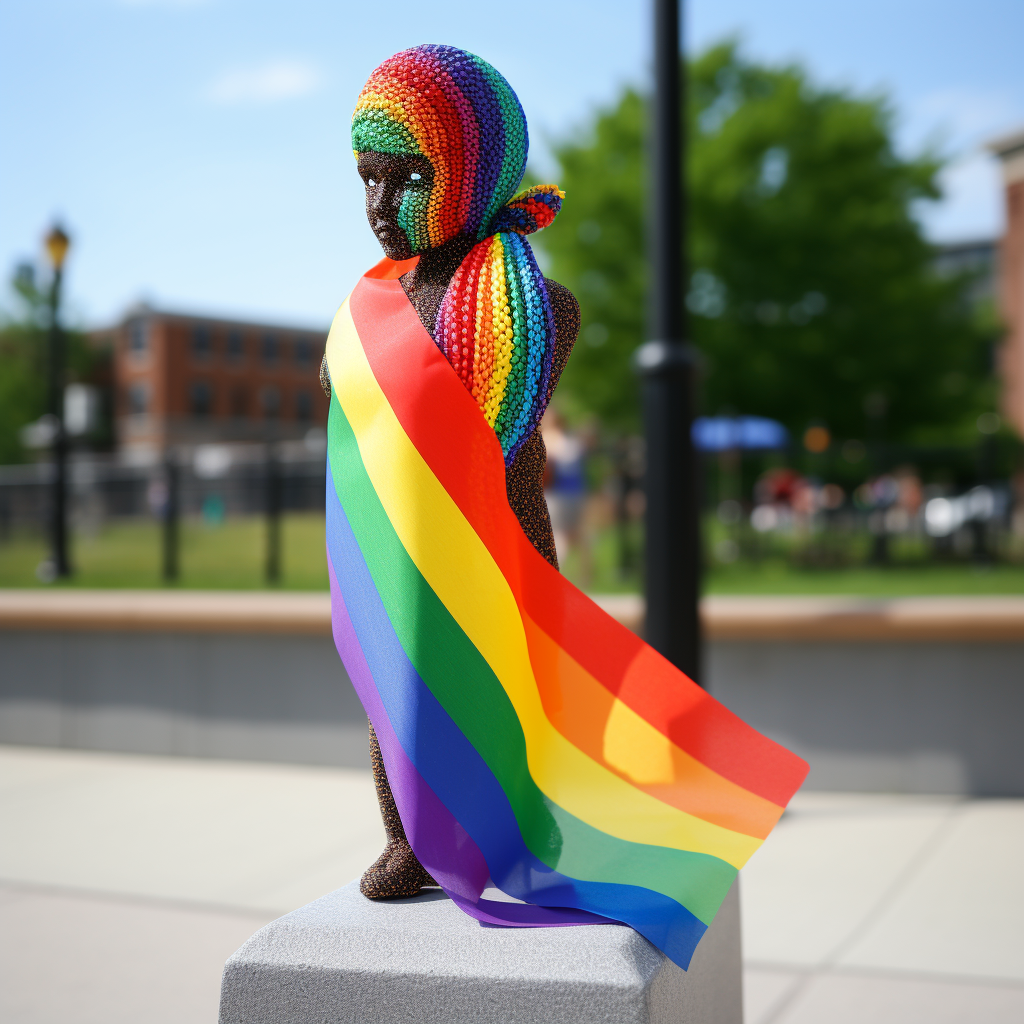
pixel 182 381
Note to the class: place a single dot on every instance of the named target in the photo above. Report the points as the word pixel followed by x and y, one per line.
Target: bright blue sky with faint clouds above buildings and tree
pixel 198 150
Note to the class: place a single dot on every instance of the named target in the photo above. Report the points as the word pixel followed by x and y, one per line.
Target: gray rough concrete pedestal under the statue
pixel 346 959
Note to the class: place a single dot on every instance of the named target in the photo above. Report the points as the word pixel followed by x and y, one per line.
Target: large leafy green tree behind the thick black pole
pixel 813 296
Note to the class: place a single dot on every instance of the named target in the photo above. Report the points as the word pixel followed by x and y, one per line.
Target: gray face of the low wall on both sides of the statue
pixel 884 716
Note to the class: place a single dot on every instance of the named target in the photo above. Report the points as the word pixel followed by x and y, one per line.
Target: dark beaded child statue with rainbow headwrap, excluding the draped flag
pixel 447 202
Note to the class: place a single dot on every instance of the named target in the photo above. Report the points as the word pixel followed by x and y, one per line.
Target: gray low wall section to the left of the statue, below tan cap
pixel 276 698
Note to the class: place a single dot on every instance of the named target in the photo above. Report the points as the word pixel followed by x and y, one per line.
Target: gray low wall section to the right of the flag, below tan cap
pixel 878 716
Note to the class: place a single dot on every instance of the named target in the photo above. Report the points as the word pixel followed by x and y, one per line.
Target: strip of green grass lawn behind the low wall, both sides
pixel 231 557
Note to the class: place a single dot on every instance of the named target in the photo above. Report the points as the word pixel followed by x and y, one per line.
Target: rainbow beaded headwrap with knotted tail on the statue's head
pixel 495 325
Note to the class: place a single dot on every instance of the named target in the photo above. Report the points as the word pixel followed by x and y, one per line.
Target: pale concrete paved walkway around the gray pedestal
pixel 125 883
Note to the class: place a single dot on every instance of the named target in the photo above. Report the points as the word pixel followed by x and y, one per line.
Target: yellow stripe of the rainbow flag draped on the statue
pixel 472 586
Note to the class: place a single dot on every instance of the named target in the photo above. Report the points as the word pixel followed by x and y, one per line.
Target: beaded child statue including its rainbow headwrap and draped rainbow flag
pixel 522 740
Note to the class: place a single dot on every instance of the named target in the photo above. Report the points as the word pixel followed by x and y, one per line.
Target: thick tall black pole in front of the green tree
pixel 667 366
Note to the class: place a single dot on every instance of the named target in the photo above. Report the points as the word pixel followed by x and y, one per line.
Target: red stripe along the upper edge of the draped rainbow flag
pixel 446 426
